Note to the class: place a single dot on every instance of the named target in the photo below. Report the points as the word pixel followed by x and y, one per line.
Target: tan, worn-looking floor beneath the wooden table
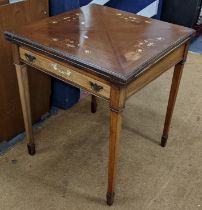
pixel 69 170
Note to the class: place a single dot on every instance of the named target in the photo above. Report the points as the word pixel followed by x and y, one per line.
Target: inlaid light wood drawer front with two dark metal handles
pixel 90 84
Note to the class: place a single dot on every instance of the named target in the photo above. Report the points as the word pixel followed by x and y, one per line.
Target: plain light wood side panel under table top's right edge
pixel 156 70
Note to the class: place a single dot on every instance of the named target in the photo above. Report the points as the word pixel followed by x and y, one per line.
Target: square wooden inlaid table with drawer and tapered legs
pixel 109 53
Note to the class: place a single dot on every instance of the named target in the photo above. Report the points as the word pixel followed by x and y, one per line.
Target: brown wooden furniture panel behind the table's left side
pixel 11 17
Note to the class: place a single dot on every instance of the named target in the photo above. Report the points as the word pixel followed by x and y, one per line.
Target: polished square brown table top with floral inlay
pixel 107 42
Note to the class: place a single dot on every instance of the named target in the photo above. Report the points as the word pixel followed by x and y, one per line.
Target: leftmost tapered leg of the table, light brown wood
pixel 23 84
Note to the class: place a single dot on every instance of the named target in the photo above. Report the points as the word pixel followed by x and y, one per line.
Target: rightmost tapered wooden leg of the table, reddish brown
pixel 172 99
